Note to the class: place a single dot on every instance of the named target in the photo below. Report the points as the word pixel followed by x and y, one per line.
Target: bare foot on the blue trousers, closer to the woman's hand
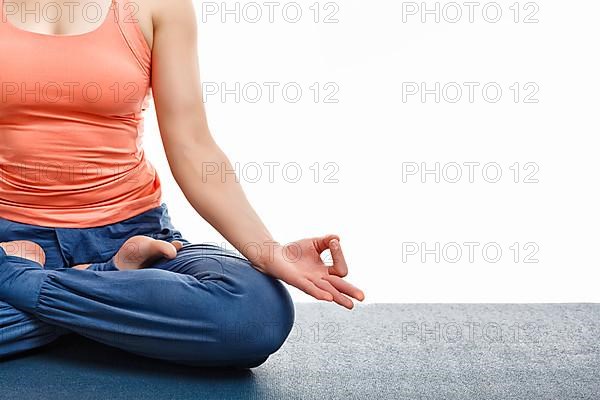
pixel 141 251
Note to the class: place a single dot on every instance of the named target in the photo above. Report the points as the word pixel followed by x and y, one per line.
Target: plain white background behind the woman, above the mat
pixel 372 133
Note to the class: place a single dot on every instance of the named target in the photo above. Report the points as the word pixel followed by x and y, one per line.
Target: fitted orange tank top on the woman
pixel 71 123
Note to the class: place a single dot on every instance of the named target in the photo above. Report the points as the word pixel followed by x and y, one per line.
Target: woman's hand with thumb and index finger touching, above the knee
pixel 304 269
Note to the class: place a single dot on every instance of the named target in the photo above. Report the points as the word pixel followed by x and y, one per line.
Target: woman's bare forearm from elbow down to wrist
pixel 208 181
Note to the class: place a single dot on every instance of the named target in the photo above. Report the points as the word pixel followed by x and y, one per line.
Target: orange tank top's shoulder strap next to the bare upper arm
pixel 124 12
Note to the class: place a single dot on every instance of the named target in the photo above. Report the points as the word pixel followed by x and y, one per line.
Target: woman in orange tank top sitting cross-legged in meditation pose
pixel 87 244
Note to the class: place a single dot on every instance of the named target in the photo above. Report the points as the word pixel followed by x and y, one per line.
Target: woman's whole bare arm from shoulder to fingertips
pixel 190 147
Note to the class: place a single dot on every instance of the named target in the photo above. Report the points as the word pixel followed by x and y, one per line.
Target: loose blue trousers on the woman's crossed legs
pixel 206 307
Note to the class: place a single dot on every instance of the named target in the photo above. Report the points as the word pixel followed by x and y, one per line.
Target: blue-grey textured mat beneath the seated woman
pixel 383 351
